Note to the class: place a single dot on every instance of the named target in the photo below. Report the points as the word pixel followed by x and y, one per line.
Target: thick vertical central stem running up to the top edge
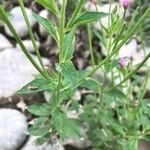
pixel 61 29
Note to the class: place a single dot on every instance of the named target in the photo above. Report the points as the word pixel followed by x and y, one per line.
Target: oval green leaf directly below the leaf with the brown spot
pixel 42 109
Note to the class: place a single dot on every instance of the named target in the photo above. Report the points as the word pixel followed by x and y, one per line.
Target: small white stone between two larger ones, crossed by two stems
pixel 28 44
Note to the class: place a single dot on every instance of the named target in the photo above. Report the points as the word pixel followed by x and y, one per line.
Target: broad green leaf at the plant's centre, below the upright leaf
pixel 69 72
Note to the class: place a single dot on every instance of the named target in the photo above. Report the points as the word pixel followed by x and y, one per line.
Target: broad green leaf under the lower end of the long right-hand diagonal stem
pixel 91 84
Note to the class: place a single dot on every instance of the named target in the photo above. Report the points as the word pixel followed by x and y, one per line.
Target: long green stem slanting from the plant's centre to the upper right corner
pixel 125 39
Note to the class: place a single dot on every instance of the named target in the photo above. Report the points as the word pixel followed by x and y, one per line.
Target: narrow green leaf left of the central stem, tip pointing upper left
pixel 47 24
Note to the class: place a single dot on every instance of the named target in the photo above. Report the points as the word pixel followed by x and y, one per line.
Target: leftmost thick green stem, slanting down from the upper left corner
pixel 4 17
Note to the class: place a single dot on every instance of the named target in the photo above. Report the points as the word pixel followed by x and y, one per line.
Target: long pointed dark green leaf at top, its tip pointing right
pixel 87 17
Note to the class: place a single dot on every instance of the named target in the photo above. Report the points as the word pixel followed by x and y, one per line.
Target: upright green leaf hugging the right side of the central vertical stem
pixel 69 43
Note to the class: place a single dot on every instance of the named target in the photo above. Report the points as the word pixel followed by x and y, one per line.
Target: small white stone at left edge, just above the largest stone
pixel 4 43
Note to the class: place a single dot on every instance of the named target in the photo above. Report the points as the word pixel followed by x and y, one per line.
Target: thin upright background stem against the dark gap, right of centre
pixel 90 44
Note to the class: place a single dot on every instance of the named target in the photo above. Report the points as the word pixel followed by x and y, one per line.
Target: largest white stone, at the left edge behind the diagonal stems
pixel 16 71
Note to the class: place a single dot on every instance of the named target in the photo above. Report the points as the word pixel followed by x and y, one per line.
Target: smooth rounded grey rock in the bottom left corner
pixel 13 128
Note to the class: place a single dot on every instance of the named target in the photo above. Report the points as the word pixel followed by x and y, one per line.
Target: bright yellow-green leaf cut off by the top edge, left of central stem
pixel 50 5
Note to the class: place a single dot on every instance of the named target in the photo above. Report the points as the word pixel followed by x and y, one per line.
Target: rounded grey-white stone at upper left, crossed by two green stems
pixel 18 22
